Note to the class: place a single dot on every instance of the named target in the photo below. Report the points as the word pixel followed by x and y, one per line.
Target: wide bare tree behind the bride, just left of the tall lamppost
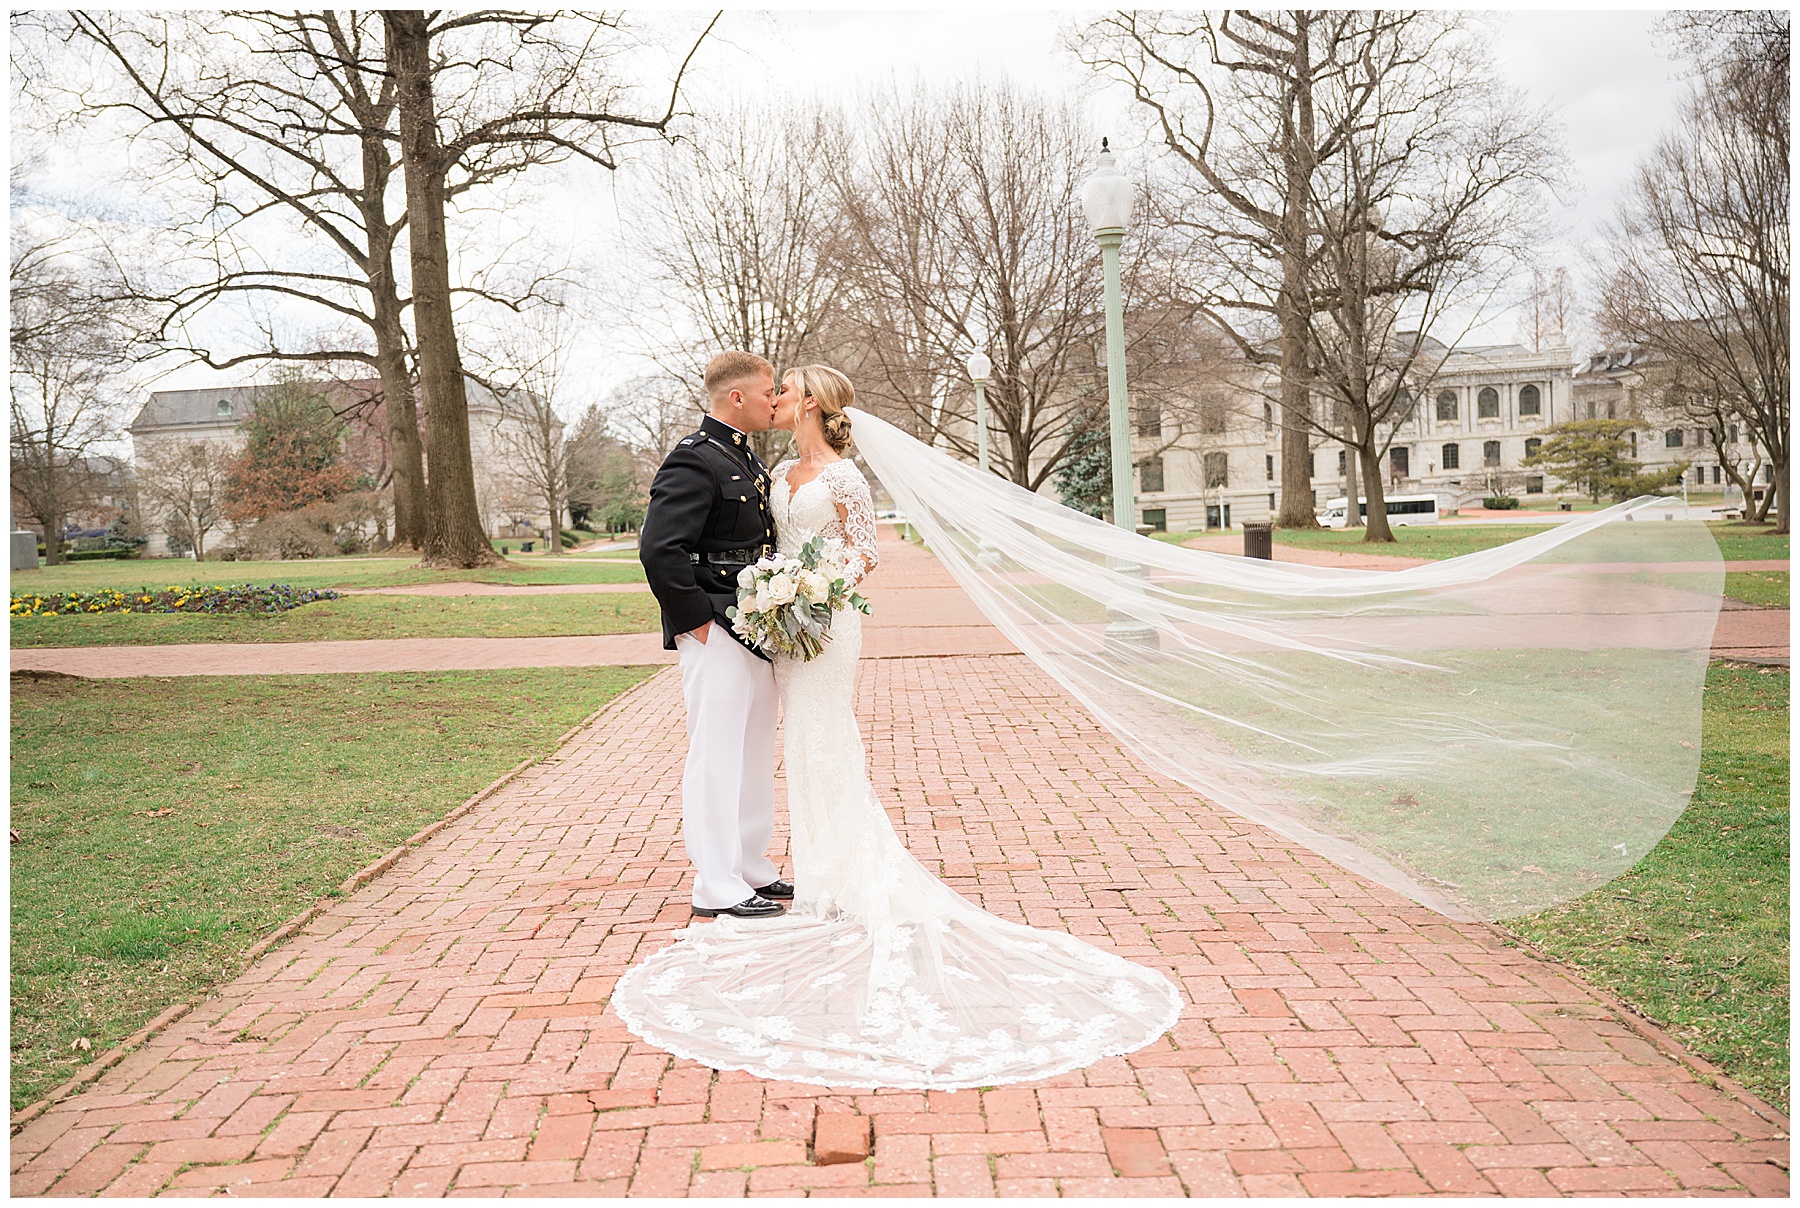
pixel 962 228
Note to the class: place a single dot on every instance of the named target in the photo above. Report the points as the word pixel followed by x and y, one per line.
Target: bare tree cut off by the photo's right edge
pixel 1696 266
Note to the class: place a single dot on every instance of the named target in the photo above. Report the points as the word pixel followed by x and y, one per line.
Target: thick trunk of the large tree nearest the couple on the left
pixel 454 537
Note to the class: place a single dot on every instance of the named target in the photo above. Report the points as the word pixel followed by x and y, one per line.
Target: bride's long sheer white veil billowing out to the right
pixel 1488 735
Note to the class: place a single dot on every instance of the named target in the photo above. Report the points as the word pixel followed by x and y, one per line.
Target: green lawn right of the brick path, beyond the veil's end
pixel 1696 935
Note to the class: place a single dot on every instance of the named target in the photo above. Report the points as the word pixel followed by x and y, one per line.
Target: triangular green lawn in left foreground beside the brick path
pixel 168 825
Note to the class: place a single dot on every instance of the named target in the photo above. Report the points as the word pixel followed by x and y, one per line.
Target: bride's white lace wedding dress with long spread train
pixel 879 975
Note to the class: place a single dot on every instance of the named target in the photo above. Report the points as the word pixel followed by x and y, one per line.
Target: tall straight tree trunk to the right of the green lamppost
pixel 1297 386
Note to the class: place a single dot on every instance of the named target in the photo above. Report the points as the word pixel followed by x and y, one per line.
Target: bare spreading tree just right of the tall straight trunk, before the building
pixel 1423 212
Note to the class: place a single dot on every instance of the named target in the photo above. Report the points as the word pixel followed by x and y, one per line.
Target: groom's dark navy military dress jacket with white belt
pixel 708 519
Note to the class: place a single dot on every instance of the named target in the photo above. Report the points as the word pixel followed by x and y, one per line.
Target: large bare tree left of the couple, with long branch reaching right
pixel 494 93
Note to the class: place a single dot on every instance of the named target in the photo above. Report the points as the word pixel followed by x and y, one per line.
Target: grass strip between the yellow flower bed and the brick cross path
pixel 357 617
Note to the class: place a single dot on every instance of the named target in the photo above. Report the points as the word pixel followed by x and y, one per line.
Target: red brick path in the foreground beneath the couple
pixel 445 1029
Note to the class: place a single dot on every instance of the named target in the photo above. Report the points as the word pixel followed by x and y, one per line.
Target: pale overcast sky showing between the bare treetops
pixel 1601 73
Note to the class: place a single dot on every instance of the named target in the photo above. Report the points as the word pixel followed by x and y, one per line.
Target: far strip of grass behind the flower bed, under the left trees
pixel 318 573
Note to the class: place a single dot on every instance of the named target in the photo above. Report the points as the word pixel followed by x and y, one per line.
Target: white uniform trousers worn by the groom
pixel 728 791
